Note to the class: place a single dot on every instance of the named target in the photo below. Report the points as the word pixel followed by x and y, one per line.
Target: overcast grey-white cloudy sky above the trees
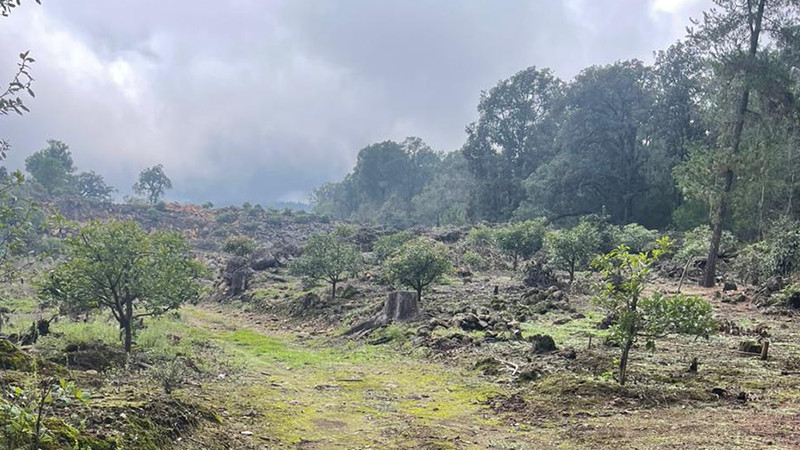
pixel 262 100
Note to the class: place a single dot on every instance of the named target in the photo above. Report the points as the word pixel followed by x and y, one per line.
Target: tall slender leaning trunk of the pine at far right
pixel 722 207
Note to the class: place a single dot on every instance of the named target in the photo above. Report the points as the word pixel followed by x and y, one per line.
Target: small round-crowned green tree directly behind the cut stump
pixel 418 263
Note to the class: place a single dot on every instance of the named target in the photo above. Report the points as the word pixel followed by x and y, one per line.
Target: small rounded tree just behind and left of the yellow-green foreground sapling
pixel 572 249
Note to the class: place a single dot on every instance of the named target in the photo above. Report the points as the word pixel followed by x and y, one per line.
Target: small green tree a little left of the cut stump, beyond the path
pixel 327 257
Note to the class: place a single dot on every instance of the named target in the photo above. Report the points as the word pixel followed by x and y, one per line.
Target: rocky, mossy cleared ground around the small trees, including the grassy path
pixel 490 362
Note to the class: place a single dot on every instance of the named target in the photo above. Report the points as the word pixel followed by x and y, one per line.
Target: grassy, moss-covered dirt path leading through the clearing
pixel 308 394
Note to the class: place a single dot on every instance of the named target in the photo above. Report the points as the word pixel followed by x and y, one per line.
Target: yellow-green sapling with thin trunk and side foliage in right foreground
pixel 652 317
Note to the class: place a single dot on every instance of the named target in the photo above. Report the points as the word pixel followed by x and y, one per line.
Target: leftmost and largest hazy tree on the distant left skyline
pixel 53 168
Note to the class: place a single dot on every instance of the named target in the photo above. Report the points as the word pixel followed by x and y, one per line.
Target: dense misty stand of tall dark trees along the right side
pixel 705 135
